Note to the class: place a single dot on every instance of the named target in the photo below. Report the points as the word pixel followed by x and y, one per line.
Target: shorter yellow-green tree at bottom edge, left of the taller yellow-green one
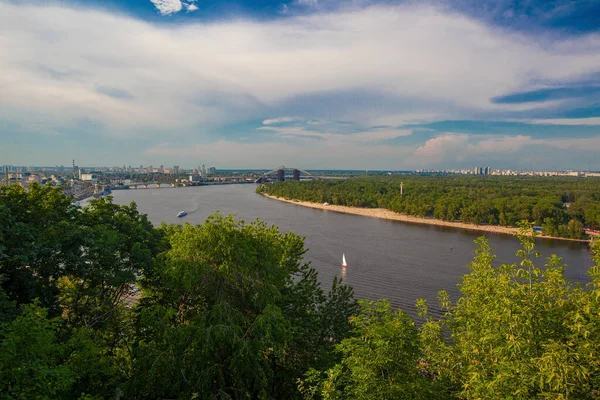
pixel 382 360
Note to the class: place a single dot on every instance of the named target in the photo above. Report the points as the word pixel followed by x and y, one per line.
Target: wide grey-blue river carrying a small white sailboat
pixel 386 259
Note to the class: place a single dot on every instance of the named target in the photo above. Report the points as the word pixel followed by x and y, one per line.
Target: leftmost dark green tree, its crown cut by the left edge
pixel 41 241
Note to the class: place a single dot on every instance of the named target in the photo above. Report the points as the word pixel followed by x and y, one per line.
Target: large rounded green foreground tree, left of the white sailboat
pixel 232 312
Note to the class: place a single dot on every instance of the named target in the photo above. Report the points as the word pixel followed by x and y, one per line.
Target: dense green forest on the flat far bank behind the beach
pixel 562 206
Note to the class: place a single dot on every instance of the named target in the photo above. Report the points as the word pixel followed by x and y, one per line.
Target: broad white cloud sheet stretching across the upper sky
pixel 185 80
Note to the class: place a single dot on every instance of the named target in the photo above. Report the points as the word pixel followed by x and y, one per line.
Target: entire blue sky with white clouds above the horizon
pixel 310 84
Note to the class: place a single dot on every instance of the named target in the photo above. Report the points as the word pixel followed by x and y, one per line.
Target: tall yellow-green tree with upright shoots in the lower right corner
pixel 518 331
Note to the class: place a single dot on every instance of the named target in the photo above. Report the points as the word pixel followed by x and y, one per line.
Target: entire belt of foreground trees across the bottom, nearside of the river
pixel 97 303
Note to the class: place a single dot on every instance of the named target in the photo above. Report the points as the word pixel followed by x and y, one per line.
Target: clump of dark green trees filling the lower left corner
pixel 64 273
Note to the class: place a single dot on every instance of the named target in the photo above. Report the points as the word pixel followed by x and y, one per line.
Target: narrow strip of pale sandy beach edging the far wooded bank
pixel 390 215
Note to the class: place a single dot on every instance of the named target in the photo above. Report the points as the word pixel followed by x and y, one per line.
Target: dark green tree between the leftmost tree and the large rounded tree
pixel 120 245
